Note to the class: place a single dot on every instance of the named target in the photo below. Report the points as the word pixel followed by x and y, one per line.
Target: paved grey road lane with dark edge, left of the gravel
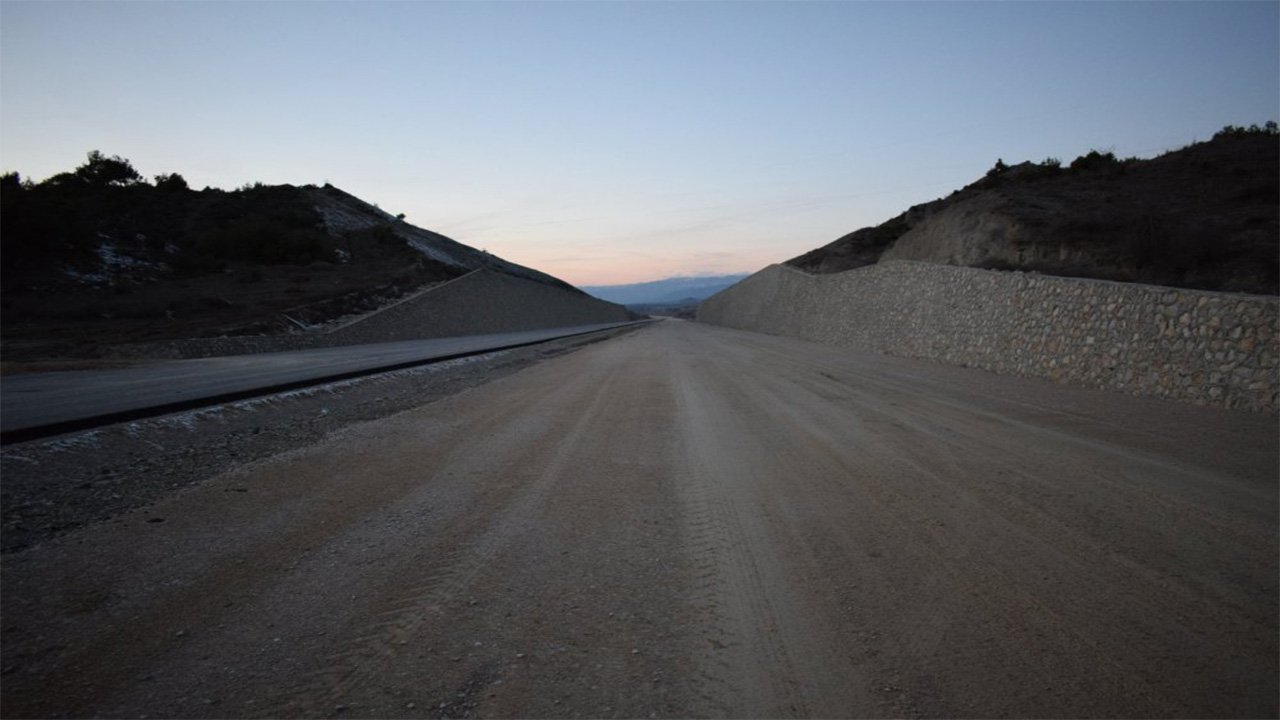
pixel 44 404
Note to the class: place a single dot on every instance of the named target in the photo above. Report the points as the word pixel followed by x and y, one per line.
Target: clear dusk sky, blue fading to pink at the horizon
pixel 610 143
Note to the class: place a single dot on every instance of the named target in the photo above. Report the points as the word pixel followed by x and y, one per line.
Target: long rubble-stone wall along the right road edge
pixel 1203 348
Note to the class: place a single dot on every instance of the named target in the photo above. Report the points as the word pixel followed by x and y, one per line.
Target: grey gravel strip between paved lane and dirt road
pixel 58 485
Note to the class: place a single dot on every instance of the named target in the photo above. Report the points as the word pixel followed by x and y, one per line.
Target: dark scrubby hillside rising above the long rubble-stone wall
pixel 1204 217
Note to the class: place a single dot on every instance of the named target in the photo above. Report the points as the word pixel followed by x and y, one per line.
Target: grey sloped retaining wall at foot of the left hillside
pixel 479 303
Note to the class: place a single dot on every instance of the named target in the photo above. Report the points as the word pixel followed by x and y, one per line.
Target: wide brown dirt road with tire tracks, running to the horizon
pixel 689 522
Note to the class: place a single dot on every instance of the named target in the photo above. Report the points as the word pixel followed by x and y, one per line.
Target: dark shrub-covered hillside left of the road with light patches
pixel 99 257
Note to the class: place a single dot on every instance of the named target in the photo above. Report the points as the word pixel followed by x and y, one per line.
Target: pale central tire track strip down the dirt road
pixel 765 650
